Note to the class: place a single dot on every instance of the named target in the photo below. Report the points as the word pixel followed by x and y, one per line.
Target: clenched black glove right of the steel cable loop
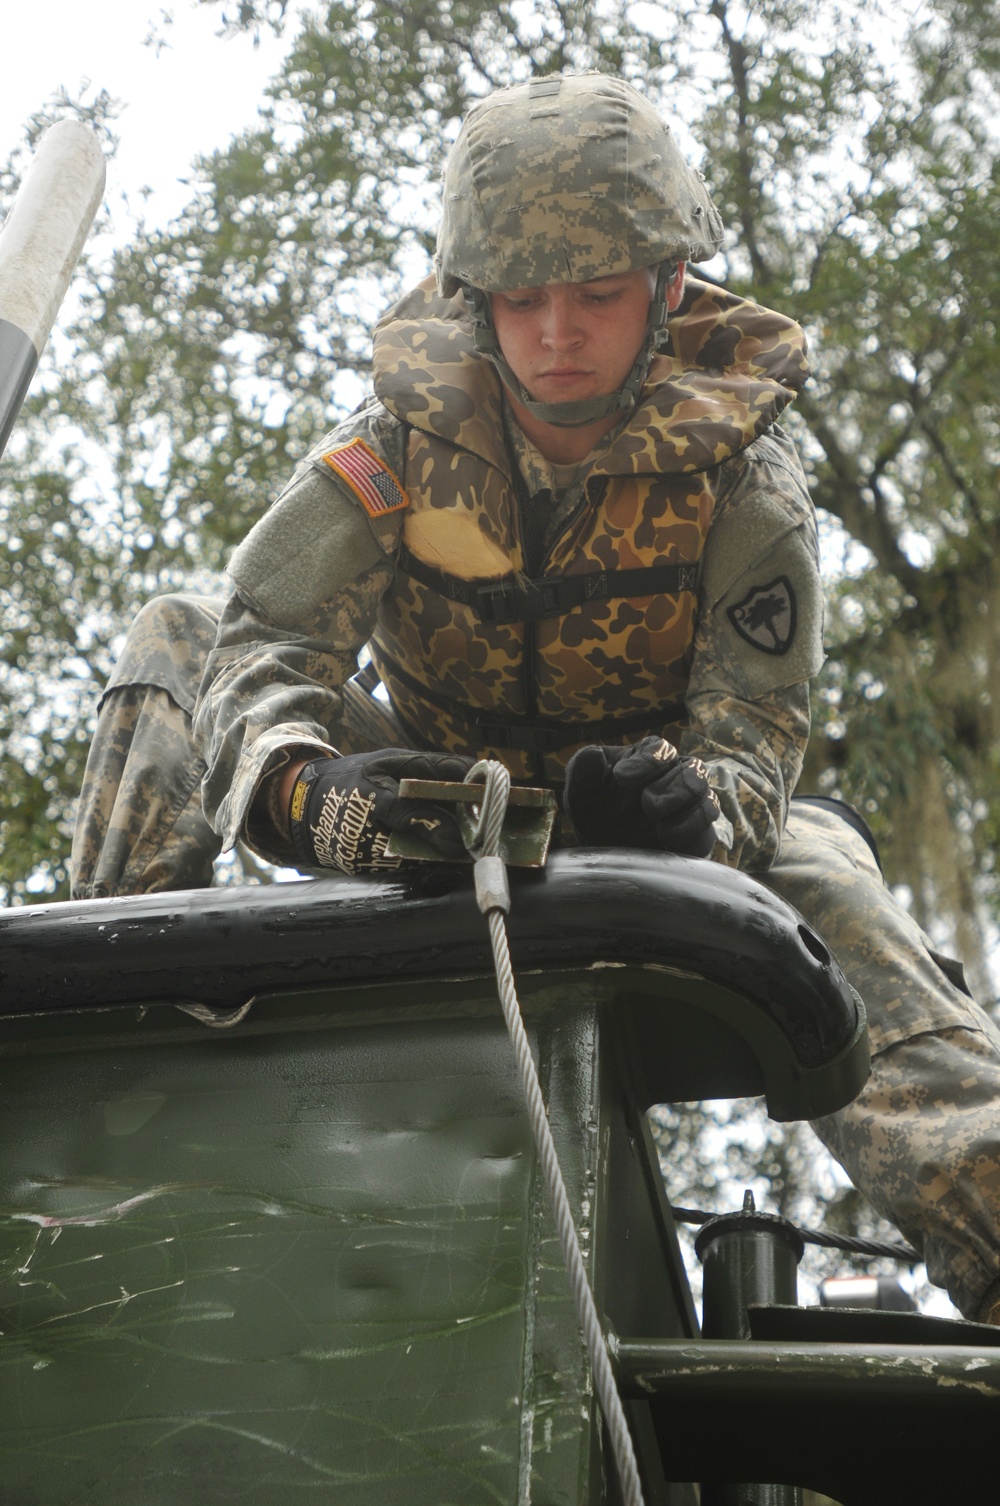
pixel 644 797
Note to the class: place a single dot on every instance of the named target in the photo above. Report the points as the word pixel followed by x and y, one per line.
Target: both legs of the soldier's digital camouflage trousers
pixel 922 1141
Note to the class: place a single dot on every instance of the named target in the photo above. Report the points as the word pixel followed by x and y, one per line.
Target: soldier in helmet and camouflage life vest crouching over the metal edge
pixel 575 538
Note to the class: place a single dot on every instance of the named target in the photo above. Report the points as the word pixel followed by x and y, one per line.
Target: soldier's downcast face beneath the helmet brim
pixel 567 343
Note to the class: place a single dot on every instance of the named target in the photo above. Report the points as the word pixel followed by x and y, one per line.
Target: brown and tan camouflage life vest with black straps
pixel 478 656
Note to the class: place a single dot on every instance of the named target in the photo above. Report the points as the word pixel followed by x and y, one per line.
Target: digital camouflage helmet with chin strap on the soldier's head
pixel 567 180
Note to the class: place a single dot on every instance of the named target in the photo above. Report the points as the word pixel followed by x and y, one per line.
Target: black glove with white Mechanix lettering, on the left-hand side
pixel 346 809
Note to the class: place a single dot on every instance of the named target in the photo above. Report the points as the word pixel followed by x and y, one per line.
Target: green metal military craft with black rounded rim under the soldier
pixel 273 1225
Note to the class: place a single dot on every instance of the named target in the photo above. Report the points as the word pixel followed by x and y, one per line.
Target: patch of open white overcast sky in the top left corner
pixel 186 97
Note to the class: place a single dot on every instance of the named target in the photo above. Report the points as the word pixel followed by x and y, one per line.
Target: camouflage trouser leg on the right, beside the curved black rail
pixel 922 1139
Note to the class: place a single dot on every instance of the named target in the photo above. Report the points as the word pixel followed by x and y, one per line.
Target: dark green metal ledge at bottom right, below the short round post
pixel 864 1424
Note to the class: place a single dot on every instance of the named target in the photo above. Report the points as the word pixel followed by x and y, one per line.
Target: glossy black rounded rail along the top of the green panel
pixel 591 913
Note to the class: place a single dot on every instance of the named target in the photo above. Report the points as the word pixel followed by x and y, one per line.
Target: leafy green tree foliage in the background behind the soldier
pixel 861 191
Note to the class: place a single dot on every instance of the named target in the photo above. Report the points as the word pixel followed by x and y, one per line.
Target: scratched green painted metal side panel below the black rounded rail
pixel 312 1260
